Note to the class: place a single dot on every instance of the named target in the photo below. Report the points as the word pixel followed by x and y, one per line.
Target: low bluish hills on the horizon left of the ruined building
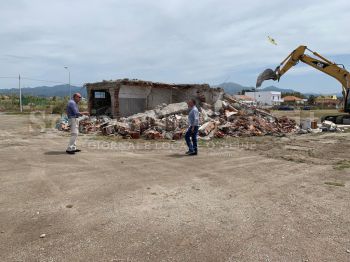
pixel 46 91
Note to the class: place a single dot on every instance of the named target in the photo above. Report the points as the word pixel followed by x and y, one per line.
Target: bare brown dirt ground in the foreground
pixel 252 199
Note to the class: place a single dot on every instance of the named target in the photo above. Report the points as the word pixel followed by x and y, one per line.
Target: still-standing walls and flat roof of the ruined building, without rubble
pixel 124 97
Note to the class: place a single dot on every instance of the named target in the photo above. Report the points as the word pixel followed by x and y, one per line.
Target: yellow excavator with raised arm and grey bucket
pixel 320 63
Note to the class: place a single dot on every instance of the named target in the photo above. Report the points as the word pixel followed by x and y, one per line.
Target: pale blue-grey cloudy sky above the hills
pixel 176 41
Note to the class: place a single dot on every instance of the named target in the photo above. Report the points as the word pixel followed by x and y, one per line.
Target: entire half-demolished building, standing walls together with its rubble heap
pixel 157 111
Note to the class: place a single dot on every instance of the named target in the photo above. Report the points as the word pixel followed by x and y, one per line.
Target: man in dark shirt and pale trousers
pixel 73 115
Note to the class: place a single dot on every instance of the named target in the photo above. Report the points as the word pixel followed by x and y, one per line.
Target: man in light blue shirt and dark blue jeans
pixel 192 131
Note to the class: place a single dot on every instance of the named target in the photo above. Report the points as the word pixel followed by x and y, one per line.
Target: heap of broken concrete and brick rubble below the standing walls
pixel 227 117
